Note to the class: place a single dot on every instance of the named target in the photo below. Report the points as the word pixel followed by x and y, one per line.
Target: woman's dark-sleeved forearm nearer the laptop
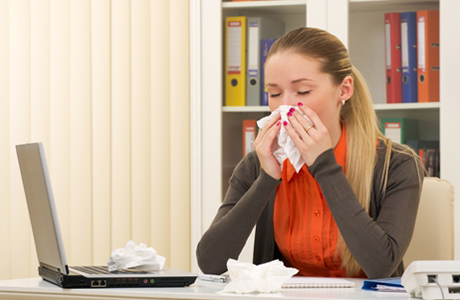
pixel 246 198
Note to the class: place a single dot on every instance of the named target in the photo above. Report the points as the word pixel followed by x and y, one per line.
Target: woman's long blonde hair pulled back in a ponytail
pixel 362 126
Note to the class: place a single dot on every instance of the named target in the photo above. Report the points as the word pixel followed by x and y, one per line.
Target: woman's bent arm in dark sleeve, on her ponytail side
pixel 378 243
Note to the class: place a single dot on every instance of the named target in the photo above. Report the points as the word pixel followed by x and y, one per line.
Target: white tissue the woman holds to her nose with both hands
pixel 286 147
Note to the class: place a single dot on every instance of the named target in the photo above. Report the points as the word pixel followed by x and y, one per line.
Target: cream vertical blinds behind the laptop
pixel 105 86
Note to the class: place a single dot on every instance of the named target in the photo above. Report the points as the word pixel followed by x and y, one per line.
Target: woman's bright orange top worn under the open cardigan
pixel 304 228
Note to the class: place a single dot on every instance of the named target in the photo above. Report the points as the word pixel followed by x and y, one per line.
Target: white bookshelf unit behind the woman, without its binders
pixel 359 24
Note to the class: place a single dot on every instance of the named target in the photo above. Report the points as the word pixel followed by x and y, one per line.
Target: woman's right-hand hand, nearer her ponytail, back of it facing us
pixel 310 139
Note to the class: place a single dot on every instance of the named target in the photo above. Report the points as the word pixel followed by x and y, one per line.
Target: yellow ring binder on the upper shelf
pixel 235 61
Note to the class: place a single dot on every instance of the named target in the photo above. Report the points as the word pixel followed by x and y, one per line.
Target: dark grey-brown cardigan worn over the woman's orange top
pixel 377 240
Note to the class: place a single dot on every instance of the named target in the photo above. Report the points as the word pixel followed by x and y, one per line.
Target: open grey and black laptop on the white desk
pixel 49 244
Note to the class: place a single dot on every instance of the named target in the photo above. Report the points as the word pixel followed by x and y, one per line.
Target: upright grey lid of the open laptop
pixel 42 209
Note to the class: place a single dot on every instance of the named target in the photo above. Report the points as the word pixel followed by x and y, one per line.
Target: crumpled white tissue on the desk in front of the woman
pixel 263 278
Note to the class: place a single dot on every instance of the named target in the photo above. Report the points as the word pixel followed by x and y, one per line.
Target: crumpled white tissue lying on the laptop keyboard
pixel 134 256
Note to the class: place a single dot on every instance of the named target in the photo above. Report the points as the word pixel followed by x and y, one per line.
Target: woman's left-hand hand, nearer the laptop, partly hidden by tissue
pixel 263 145
